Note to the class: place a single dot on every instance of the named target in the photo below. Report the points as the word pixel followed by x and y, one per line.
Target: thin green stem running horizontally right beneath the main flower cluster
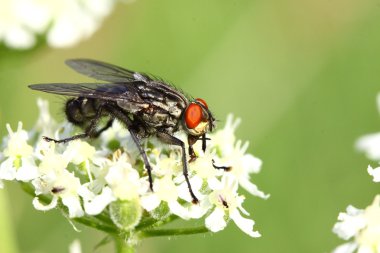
pixel 172 232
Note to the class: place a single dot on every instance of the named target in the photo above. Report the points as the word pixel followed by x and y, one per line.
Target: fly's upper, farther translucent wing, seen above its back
pixel 105 71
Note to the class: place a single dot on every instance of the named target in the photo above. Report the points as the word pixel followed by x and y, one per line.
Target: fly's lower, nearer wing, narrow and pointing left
pixel 126 92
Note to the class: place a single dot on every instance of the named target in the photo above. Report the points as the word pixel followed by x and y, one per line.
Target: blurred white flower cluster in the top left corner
pixel 64 22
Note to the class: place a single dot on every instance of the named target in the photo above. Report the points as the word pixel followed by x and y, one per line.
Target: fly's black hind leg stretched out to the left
pixel 90 132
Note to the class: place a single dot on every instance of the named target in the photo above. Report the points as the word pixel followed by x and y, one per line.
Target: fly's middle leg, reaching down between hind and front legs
pixel 120 115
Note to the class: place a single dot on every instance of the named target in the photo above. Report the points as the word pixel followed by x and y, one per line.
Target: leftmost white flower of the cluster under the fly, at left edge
pixel 19 163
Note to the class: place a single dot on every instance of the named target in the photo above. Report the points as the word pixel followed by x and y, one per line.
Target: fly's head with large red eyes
pixel 197 118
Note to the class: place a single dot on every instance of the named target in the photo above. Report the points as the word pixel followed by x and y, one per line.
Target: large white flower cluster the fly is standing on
pixel 109 173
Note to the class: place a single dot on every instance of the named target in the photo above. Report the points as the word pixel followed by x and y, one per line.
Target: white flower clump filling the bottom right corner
pixel 361 225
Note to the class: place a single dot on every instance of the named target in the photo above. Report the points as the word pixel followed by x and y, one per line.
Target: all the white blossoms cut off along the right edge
pixel 363 226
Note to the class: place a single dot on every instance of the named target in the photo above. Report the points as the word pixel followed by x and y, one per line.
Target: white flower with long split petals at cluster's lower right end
pixel 228 203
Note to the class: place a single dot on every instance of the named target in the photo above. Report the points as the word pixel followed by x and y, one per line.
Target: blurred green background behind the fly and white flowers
pixel 302 75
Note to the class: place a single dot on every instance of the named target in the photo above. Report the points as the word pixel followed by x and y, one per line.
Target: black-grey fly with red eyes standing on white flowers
pixel 146 106
